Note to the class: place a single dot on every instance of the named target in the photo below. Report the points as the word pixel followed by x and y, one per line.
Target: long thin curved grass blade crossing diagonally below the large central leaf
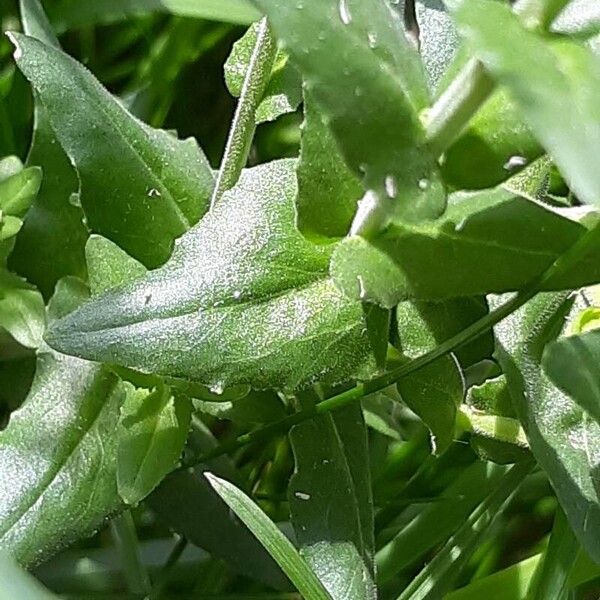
pixel 563 263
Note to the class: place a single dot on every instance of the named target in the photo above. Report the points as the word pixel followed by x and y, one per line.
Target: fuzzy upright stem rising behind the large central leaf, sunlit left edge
pixel 243 126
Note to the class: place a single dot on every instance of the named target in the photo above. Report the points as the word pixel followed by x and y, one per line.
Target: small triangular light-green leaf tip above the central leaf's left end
pixel 109 266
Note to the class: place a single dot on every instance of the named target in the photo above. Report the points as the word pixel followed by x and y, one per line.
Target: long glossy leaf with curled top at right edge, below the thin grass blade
pixel 563 438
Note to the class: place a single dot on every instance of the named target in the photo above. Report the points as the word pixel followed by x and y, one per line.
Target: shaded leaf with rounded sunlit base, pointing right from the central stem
pixel 488 241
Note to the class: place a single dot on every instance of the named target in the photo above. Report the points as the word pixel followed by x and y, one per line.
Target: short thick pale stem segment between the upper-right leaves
pixel 457 105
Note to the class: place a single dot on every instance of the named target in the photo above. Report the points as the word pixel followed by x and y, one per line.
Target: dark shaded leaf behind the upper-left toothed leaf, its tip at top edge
pixel 50 245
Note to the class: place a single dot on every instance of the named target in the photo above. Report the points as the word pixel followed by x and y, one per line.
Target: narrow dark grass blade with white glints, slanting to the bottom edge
pixel 435 579
